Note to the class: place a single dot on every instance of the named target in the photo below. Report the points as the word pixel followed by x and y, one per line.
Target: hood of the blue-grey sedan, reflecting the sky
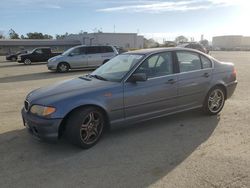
pixel 66 89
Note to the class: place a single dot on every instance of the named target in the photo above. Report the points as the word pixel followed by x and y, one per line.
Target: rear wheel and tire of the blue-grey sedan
pixel 214 101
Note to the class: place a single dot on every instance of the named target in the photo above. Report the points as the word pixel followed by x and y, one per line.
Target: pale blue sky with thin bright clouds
pixel 161 20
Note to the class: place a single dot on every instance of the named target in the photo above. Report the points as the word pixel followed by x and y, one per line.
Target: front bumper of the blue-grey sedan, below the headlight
pixel 45 129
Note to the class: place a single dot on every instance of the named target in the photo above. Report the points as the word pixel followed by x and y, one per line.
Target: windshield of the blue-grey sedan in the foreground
pixel 116 68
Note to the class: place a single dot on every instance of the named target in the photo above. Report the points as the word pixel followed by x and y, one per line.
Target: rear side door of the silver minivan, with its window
pixel 94 56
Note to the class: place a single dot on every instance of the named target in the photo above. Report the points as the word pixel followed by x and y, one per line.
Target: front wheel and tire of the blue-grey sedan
pixel 85 127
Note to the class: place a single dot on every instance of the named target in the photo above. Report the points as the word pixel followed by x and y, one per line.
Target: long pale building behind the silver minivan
pixel 124 40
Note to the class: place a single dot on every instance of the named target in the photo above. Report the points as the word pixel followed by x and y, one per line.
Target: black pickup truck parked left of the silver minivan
pixel 37 55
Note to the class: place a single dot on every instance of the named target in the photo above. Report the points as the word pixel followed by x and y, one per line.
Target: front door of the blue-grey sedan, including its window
pixel 157 95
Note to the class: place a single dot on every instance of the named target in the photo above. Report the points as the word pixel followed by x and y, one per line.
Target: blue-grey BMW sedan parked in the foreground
pixel 131 87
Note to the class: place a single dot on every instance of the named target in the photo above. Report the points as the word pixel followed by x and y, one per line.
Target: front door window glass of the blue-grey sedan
pixel 157 65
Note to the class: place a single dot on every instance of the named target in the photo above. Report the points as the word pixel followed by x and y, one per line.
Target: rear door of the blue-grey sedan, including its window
pixel 194 78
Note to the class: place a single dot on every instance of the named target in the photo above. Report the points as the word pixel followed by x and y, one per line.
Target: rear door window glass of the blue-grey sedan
pixel 188 61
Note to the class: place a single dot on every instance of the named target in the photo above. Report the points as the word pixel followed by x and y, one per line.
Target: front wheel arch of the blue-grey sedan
pixel 64 121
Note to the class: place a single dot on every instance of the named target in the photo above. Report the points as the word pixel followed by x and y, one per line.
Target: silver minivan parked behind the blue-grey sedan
pixel 82 57
